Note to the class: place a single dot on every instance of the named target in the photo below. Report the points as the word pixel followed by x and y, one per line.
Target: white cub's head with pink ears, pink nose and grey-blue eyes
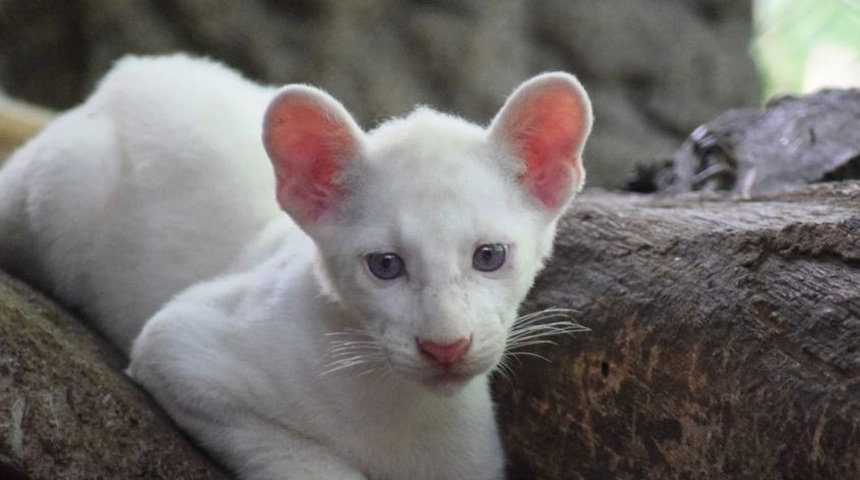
pixel 431 228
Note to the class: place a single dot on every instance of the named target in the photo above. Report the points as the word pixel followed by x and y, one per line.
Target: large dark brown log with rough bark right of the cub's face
pixel 725 342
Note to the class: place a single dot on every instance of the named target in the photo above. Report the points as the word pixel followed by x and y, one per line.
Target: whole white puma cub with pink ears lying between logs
pixel 351 339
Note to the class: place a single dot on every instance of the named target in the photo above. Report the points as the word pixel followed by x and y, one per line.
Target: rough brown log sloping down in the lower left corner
pixel 68 412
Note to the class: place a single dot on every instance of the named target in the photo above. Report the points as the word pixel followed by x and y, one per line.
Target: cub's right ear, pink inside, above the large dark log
pixel 546 122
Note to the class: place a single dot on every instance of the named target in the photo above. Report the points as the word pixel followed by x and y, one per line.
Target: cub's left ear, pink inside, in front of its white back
pixel 310 138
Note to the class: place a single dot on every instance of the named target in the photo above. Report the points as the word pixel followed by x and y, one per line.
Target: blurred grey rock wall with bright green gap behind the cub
pixel 655 69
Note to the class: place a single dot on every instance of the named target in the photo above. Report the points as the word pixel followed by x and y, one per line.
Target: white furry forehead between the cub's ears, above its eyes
pixel 432 177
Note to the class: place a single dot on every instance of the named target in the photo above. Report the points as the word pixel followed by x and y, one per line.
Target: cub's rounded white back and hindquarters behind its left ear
pixel 157 181
